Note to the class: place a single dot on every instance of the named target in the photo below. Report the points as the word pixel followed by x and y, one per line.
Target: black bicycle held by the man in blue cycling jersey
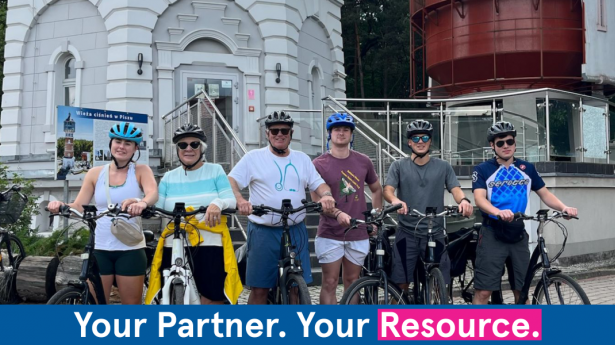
pixel 552 281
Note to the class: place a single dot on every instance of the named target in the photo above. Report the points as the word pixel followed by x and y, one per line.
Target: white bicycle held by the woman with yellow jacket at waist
pixel 179 287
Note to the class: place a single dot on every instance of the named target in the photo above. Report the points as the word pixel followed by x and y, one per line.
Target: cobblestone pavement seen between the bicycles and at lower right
pixel 599 290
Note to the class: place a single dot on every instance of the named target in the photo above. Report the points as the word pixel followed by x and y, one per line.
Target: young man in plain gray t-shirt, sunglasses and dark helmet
pixel 419 182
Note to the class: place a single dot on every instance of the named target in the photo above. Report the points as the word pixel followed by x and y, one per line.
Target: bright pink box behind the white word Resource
pixel 459 324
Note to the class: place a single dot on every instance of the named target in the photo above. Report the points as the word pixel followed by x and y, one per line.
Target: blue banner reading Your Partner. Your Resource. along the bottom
pixel 287 324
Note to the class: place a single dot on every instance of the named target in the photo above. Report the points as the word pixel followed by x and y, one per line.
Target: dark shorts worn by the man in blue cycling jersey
pixel 491 257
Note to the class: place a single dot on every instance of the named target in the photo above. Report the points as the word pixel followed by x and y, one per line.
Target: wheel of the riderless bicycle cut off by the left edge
pixel 8 271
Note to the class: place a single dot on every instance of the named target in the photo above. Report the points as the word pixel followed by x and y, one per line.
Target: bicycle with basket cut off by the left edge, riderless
pixel 12 252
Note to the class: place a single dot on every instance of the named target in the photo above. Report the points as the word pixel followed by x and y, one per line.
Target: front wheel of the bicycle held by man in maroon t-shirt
pixel 370 291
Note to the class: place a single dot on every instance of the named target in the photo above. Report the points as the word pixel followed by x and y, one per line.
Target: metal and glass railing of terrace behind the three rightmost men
pixel 461 124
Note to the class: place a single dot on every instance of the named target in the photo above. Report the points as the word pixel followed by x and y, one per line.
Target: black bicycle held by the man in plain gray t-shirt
pixel 429 286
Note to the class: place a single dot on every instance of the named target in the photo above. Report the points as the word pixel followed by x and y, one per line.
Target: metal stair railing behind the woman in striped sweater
pixel 226 147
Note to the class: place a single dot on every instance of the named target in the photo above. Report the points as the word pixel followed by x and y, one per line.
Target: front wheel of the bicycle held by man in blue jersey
pixel 562 290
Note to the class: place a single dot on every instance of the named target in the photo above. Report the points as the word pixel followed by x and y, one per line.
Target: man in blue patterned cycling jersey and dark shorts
pixel 502 187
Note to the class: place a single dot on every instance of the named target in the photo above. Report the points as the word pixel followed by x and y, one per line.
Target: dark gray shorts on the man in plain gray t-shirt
pixel 406 251
